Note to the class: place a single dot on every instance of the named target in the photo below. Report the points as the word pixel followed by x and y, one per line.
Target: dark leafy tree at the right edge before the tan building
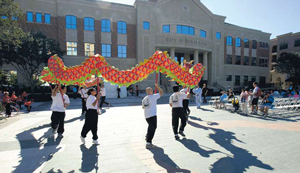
pixel 289 64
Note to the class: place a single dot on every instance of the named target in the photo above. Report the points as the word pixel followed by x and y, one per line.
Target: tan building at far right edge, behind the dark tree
pixel 280 46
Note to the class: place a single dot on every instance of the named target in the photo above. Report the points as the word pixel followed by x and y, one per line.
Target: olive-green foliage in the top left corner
pixel 10 31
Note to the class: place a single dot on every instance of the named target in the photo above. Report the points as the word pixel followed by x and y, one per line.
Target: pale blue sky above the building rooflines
pixel 273 16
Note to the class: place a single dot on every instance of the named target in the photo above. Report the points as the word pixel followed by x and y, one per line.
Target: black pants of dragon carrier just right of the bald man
pixel 176 114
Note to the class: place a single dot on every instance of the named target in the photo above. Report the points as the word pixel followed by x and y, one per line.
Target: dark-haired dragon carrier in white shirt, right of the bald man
pixel 175 102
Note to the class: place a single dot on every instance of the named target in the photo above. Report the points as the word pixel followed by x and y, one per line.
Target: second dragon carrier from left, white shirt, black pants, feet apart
pixel 91 117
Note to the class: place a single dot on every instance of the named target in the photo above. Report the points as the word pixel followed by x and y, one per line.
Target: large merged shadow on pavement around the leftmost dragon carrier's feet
pixel 35 152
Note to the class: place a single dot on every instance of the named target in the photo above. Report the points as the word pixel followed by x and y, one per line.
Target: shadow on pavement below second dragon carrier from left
pixel 89 158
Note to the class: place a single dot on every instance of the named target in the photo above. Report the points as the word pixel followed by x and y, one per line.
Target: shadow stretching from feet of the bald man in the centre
pixel 166 162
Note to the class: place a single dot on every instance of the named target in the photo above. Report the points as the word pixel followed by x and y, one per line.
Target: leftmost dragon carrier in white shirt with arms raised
pixel 60 101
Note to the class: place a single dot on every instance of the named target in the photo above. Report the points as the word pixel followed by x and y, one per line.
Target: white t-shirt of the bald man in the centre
pixel 149 104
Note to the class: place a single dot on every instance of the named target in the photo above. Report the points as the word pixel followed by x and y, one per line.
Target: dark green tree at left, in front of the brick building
pixel 30 56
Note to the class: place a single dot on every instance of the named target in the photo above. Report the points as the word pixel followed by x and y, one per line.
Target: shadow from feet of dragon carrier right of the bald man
pixel 194 146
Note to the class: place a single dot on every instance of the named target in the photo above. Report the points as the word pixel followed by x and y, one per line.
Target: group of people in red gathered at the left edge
pixel 12 103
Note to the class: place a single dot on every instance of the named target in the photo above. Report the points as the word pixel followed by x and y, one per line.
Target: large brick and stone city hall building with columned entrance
pixel 126 35
